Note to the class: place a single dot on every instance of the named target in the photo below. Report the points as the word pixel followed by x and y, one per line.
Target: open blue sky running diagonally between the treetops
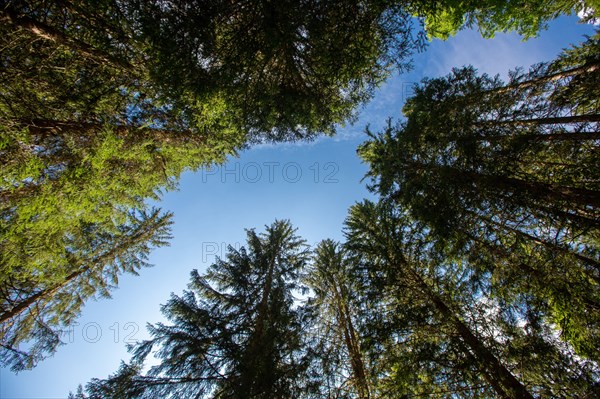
pixel 311 184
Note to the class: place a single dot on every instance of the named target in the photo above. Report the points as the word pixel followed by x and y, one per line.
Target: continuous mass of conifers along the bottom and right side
pixel 474 275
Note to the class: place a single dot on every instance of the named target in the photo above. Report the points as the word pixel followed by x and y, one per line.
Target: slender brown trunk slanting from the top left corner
pixel 8 14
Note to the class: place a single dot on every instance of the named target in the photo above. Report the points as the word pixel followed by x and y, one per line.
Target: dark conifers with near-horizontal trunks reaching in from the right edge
pixel 507 175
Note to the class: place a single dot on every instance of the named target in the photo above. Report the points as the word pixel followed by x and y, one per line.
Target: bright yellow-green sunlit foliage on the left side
pixel 73 186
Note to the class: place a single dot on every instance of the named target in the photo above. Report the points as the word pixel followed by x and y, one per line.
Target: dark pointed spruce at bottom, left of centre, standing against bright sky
pixel 237 332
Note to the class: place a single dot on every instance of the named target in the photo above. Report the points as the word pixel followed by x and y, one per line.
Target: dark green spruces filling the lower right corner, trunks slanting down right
pixel 435 327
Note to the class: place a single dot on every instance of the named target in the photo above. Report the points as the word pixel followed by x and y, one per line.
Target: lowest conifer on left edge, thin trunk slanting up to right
pixel 37 307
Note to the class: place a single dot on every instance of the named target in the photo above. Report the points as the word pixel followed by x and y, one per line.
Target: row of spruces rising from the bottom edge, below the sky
pixel 385 314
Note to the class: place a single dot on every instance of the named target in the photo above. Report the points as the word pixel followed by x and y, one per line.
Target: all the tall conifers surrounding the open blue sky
pixel 477 273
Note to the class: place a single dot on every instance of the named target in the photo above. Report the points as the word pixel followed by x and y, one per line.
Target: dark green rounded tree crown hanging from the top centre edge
pixel 287 70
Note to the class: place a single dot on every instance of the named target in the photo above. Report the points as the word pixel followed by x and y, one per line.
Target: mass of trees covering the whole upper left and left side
pixel 103 104
